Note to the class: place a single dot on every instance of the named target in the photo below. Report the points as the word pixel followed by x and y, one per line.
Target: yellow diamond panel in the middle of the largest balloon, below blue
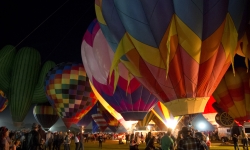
pixel 188 39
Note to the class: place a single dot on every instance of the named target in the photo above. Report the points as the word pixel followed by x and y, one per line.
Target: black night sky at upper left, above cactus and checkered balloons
pixel 53 27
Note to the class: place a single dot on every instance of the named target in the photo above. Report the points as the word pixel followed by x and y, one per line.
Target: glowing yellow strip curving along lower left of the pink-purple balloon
pixel 127 124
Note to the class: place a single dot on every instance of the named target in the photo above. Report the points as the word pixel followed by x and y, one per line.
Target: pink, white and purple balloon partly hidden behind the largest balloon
pixel 132 101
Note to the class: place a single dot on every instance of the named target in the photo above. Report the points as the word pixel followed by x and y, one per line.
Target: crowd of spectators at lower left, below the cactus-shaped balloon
pixel 38 139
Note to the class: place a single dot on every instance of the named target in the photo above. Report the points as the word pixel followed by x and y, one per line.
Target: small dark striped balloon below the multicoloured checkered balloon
pixel 45 114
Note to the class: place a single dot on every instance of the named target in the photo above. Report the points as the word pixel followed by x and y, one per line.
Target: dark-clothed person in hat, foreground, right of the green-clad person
pixel 188 142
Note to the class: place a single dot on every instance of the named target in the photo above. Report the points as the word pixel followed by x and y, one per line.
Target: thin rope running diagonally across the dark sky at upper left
pixel 35 29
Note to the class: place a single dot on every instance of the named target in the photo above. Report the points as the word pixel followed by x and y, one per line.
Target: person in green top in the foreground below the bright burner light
pixel 167 142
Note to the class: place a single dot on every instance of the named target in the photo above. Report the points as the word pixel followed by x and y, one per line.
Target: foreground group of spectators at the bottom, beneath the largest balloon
pixel 185 140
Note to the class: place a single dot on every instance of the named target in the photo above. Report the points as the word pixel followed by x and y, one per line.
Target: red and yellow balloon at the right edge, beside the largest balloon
pixel 233 94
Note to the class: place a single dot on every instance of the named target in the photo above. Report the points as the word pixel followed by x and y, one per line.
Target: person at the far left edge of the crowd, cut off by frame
pixel 4 133
